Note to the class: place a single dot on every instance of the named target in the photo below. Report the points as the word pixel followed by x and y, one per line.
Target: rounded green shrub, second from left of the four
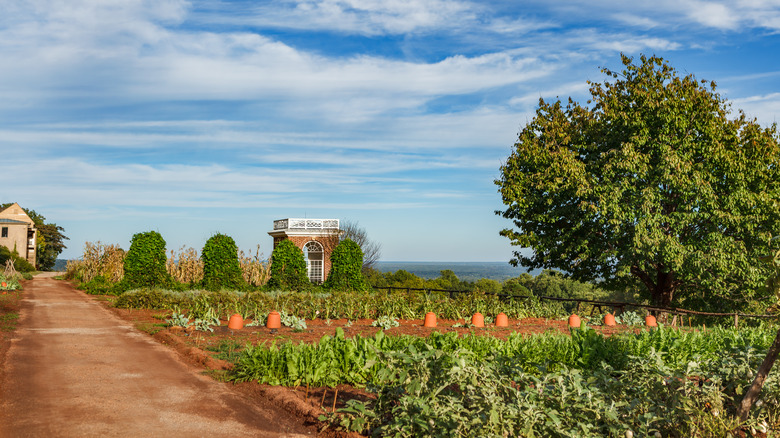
pixel 221 268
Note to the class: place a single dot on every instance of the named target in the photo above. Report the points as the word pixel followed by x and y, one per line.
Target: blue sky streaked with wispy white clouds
pixel 193 118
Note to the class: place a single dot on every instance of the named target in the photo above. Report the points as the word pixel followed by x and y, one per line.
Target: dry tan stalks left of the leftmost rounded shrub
pixel 98 259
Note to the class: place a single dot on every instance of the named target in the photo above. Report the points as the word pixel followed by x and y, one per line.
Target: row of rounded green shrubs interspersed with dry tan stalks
pixel 107 269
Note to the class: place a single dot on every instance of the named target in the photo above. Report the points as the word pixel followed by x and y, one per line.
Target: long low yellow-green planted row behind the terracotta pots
pixel 351 305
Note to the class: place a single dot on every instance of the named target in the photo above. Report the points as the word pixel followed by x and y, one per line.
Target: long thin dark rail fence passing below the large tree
pixel 617 306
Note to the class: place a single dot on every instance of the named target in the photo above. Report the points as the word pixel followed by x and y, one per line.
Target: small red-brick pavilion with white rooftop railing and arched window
pixel 317 238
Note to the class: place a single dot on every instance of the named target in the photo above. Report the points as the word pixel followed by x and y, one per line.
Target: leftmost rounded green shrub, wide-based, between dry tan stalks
pixel 145 263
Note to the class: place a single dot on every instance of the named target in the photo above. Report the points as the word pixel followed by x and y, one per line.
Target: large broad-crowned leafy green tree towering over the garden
pixel 653 183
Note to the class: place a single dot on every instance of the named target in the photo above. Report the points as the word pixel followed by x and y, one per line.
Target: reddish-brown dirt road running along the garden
pixel 76 370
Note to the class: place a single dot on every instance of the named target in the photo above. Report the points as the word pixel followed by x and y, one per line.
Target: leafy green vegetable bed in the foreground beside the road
pixel 662 382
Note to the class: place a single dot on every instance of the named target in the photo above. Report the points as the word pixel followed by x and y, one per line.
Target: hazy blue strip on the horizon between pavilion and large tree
pixel 470 271
